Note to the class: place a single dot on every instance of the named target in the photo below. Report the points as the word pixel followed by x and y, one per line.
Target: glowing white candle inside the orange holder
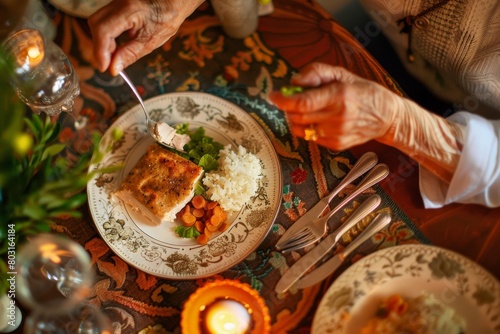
pixel 226 316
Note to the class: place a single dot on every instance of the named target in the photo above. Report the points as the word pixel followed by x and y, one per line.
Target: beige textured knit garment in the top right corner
pixel 457 48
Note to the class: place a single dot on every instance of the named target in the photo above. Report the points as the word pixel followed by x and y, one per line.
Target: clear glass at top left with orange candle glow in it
pixel 44 78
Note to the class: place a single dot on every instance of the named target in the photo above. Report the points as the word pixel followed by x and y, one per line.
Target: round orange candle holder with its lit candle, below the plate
pixel 225 307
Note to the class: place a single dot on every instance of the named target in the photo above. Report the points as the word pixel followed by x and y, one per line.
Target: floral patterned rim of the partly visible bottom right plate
pixel 410 270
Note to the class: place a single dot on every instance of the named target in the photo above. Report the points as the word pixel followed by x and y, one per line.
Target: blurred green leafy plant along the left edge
pixel 37 183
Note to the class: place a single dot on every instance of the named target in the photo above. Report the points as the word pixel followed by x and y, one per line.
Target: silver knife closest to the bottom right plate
pixel 331 265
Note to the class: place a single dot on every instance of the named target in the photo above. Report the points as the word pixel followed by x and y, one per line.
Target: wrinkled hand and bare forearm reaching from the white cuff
pixel 345 110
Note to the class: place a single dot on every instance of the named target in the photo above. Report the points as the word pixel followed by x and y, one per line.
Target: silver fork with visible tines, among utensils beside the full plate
pixel 315 229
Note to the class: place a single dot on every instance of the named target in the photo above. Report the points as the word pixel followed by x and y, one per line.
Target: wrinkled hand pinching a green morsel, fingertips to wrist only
pixel 346 110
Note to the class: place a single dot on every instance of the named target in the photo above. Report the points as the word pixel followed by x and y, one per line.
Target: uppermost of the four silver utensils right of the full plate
pixel 364 164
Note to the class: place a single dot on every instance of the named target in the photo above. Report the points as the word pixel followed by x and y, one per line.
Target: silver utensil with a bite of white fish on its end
pixel 163 133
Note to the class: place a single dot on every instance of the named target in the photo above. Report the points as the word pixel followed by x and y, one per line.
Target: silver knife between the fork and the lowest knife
pixel 299 268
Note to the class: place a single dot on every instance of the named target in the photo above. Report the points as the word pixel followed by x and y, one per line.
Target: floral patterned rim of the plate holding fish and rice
pixel 157 249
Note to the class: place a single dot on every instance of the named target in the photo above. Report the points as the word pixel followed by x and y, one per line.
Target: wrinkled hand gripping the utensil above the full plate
pixel 148 23
